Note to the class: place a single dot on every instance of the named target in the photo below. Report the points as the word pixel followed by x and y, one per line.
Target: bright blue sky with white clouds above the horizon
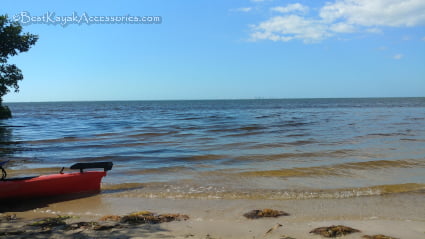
pixel 224 50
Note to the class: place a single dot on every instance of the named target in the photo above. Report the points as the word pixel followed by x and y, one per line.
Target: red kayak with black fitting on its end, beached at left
pixel 55 184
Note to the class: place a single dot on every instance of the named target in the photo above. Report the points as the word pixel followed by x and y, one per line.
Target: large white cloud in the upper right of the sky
pixel 339 17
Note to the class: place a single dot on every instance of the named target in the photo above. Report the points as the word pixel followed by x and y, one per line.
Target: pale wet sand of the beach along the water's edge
pixel 396 215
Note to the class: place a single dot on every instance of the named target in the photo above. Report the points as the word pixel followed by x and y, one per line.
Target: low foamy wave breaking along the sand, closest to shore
pixel 216 192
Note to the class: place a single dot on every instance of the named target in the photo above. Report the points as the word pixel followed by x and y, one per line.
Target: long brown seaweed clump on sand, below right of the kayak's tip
pixel 146 217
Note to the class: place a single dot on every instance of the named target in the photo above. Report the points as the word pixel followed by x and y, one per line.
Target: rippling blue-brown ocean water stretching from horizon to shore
pixel 250 149
